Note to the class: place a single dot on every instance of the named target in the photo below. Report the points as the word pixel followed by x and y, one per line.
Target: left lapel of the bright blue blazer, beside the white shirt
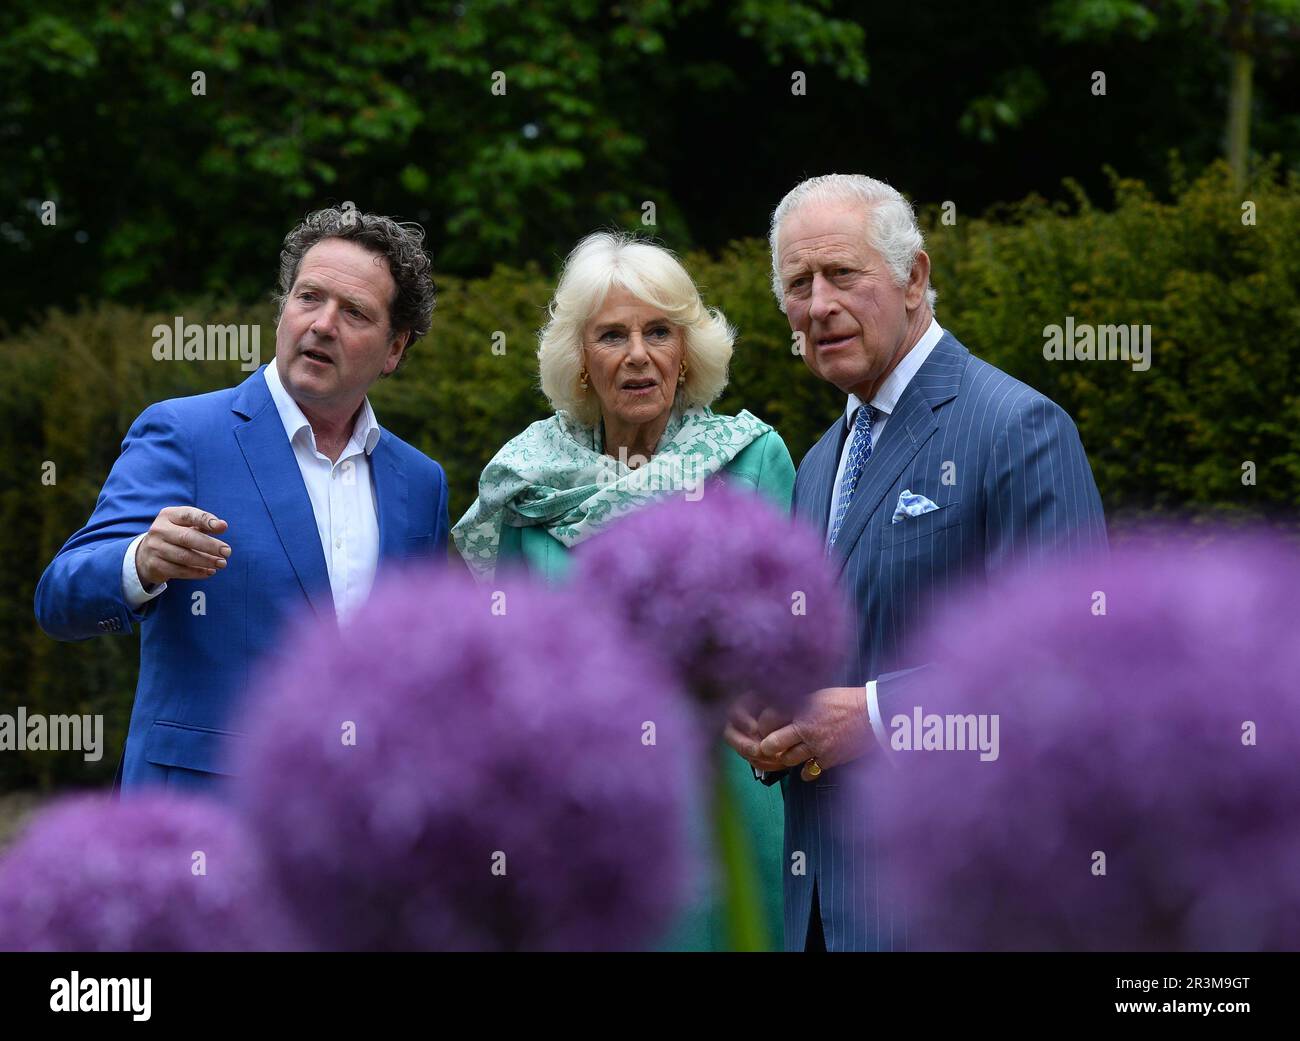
pixel 275 471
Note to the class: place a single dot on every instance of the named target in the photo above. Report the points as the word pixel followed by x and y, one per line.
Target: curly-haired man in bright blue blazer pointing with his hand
pixel 228 514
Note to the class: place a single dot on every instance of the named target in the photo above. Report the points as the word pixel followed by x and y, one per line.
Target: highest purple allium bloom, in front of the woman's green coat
pixel 738 596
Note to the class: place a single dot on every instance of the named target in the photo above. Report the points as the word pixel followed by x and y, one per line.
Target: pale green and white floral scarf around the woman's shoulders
pixel 557 475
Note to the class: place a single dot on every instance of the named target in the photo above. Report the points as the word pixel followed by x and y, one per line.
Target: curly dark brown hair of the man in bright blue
pixel 401 245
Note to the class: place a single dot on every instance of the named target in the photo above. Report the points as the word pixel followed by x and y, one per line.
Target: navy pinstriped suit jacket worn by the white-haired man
pixel 1019 484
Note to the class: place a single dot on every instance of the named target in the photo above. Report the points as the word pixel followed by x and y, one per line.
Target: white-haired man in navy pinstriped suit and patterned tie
pixel 942 471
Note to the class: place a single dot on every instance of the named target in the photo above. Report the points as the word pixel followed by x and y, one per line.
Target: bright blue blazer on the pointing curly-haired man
pixel 226 453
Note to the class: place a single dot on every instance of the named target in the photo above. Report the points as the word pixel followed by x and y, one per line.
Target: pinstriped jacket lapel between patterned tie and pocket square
pixel 911 427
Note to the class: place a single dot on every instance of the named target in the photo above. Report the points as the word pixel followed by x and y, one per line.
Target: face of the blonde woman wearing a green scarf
pixel 634 357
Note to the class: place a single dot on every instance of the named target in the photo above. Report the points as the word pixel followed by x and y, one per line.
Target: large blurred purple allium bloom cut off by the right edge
pixel 1158 741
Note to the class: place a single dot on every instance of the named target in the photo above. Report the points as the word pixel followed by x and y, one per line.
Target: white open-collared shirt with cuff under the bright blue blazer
pixel 343 498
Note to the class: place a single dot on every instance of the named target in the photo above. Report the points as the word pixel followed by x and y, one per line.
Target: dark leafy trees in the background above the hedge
pixel 164 193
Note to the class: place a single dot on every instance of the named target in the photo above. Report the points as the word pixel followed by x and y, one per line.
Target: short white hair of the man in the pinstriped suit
pixel 892 229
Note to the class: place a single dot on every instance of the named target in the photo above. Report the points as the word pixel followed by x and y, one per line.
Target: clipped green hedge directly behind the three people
pixel 1221 298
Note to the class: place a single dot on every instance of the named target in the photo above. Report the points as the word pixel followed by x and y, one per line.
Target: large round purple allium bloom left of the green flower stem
pixel 473 769
